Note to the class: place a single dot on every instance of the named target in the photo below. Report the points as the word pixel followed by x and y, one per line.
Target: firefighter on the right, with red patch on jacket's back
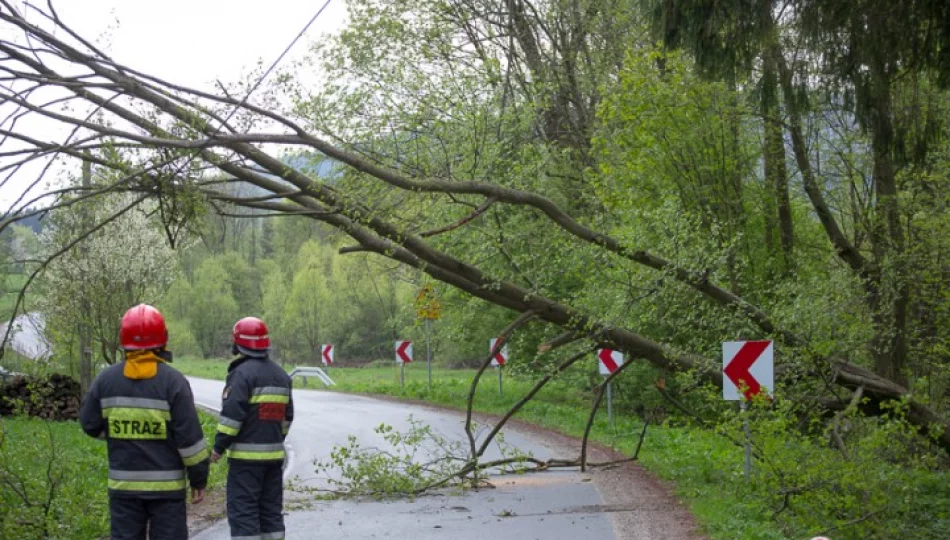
pixel 256 411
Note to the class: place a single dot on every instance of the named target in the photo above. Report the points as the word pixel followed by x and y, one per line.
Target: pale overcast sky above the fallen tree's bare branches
pixel 194 42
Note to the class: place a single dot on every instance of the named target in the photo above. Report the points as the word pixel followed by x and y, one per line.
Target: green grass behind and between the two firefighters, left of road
pixel 33 451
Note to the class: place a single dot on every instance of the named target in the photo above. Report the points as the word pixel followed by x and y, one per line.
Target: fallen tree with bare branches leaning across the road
pixel 160 139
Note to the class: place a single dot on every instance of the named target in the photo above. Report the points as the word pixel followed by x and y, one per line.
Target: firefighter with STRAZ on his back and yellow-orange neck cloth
pixel 145 411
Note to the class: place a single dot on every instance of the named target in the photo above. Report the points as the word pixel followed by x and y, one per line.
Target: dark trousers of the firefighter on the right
pixel 255 500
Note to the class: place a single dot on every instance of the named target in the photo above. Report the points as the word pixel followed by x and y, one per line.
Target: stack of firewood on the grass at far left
pixel 55 397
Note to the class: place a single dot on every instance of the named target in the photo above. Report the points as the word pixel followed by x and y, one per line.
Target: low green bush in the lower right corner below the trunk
pixel 861 478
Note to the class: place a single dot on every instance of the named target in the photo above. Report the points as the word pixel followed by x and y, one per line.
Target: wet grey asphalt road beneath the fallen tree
pixel 551 505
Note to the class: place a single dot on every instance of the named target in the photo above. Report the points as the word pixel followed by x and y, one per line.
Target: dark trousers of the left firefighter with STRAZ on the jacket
pixel 164 519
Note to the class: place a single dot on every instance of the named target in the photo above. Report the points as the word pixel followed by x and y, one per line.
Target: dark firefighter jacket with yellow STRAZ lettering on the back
pixel 152 430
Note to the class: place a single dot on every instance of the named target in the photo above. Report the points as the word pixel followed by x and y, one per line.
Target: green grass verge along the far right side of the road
pixel 703 469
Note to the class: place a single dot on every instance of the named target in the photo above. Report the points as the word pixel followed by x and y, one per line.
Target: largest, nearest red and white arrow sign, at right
pixel 747 365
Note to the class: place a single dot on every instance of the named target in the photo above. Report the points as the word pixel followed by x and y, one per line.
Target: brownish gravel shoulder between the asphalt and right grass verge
pixel 640 505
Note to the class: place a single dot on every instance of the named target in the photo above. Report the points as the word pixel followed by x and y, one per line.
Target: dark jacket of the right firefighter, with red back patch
pixel 256 411
